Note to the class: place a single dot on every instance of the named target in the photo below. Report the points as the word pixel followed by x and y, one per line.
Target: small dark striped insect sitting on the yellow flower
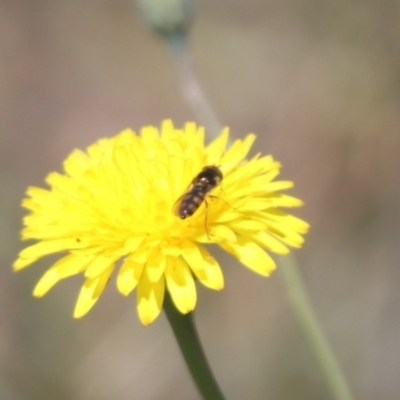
pixel 209 177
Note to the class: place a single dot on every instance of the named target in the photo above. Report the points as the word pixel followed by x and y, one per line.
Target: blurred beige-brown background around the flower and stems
pixel 319 82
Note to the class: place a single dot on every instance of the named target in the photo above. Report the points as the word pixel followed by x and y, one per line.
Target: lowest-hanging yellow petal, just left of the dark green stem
pixel 150 298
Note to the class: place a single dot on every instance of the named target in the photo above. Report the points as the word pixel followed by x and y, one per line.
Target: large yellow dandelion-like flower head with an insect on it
pixel 117 203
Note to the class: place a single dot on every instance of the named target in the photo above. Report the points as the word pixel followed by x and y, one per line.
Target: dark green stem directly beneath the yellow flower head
pixel 190 346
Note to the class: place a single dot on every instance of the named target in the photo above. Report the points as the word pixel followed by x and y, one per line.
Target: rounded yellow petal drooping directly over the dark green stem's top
pixel 181 285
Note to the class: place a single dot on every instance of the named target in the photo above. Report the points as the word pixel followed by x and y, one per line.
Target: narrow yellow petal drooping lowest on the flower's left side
pixel 90 293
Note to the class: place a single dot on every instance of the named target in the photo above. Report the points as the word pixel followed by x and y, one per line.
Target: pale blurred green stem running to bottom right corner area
pixel 306 317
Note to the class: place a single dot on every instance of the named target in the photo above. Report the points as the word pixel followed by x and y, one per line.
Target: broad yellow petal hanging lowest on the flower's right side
pixel 251 255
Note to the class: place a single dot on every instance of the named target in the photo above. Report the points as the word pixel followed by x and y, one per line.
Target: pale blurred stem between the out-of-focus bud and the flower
pixel 192 91
